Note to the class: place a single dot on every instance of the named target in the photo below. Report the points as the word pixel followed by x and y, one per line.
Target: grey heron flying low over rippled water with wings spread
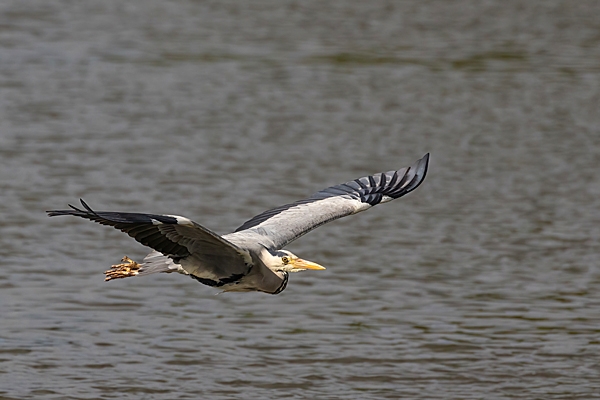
pixel 252 258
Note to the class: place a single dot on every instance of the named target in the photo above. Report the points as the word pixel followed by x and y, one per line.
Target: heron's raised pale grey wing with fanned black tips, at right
pixel 279 226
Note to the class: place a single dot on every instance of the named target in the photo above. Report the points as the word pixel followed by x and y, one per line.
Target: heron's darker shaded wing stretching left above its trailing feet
pixel 178 237
